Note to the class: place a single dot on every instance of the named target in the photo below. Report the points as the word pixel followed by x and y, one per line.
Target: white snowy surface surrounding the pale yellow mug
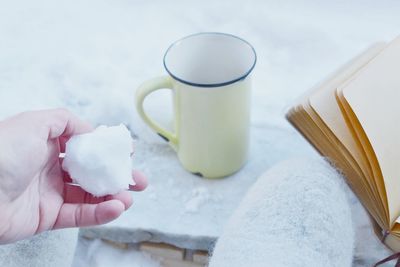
pixel 89 56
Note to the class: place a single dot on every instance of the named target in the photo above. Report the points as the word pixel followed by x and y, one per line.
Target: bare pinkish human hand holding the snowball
pixel 34 196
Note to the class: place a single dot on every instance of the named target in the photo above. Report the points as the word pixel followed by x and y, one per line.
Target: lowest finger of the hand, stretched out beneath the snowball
pixel 82 215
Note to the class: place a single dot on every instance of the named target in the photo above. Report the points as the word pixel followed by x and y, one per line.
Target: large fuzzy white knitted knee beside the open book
pixel 296 214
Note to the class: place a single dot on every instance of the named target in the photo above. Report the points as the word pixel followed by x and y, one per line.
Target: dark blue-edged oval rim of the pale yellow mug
pixel 242 77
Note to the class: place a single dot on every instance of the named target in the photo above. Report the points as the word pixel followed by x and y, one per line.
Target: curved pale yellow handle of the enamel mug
pixel 144 90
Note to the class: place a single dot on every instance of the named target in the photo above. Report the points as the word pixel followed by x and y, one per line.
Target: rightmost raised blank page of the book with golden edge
pixel 373 100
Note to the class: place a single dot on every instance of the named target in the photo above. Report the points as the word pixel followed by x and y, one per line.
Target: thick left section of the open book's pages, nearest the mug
pixel 325 130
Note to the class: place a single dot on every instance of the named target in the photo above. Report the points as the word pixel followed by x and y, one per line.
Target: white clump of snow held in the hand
pixel 100 161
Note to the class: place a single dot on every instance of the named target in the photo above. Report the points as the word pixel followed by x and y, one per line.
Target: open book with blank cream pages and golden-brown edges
pixel 353 118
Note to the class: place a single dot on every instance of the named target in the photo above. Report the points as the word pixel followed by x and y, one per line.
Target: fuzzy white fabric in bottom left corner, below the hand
pixel 49 249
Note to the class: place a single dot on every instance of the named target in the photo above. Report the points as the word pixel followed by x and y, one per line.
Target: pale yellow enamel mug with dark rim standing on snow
pixel 209 74
